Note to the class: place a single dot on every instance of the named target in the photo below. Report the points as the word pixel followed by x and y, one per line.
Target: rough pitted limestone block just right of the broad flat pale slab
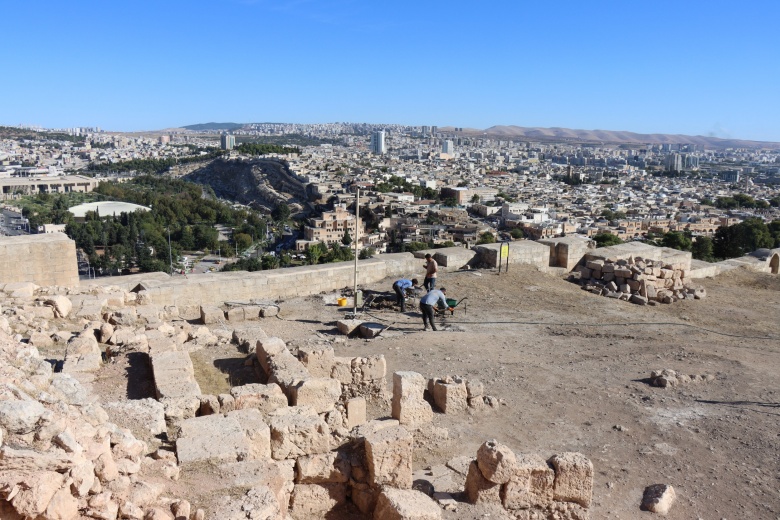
pixel 297 433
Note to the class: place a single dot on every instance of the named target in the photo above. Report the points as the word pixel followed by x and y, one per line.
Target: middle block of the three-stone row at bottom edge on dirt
pixel 531 486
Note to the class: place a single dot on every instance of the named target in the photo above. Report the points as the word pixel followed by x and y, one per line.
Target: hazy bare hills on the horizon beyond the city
pixel 566 134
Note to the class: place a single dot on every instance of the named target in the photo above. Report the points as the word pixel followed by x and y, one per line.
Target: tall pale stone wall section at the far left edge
pixel 48 259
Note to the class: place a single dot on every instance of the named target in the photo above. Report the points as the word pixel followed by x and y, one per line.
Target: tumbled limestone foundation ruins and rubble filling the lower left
pixel 297 445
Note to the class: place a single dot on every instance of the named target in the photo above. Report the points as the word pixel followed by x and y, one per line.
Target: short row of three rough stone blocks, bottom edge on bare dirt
pixel 560 487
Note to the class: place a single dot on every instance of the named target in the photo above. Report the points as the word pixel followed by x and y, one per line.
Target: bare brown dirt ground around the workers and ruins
pixel 572 369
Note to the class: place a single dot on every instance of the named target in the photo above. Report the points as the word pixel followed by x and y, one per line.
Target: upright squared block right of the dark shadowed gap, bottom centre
pixel 389 457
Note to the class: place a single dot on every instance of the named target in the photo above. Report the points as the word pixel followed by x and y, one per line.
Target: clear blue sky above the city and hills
pixel 692 67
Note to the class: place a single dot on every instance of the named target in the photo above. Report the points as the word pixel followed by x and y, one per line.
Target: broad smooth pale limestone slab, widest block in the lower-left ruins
pixel 212 438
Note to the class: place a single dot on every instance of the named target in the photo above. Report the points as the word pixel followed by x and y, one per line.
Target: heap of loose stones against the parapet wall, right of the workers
pixel 638 280
